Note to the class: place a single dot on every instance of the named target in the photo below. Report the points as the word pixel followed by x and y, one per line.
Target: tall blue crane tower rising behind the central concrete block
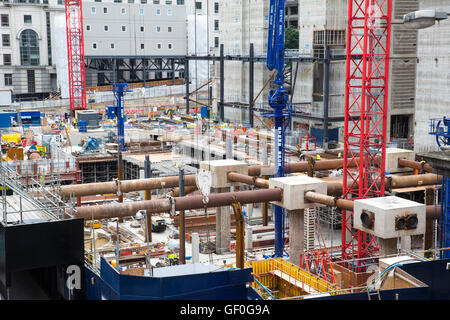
pixel 278 101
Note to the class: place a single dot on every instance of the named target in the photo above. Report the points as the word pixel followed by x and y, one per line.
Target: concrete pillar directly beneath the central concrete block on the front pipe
pixel 296 235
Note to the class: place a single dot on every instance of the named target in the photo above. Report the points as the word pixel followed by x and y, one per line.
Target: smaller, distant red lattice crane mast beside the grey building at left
pixel 75 54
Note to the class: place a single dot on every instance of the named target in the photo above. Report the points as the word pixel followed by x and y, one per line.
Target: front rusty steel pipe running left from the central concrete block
pixel 181 203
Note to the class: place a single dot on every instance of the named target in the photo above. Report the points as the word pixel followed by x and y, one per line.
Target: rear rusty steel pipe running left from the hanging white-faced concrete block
pixel 125 186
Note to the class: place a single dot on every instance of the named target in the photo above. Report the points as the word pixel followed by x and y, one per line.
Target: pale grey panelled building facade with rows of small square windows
pixel 125 22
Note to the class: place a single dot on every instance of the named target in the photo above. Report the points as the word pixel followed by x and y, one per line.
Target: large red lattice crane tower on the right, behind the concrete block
pixel 366 102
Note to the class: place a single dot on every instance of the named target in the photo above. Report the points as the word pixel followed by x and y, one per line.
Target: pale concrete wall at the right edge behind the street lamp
pixel 433 77
